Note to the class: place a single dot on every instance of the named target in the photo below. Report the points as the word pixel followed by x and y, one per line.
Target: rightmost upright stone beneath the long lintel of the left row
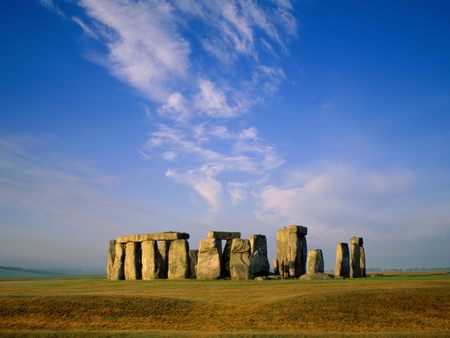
pixel 178 259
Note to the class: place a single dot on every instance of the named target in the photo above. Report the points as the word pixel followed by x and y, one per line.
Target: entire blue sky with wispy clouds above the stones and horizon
pixel 120 117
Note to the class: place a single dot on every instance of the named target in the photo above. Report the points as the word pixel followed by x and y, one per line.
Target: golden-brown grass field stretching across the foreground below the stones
pixel 415 304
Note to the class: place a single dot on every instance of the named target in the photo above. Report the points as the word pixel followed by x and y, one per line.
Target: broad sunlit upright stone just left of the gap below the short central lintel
pixel 209 259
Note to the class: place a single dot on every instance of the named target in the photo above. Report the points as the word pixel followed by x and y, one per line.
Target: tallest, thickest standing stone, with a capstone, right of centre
pixel 291 250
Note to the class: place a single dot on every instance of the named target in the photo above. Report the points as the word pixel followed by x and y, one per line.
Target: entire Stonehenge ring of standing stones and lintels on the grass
pixel 166 255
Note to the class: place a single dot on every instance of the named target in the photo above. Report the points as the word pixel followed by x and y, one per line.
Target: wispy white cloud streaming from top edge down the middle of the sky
pixel 187 58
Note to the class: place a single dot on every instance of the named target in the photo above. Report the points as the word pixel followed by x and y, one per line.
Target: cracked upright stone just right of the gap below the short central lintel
pixel 240 260
